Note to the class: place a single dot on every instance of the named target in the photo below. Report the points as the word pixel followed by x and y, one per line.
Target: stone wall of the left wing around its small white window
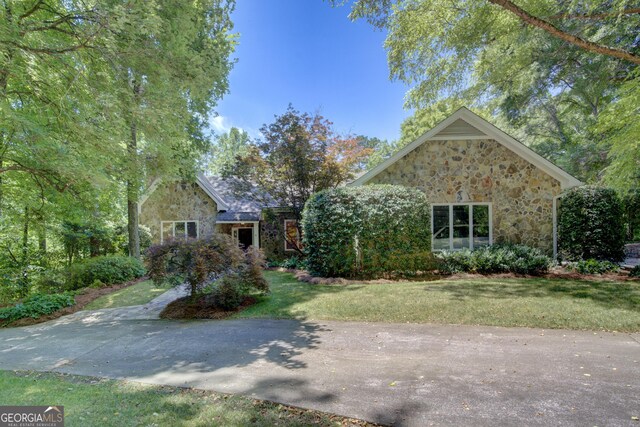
pixel 179 202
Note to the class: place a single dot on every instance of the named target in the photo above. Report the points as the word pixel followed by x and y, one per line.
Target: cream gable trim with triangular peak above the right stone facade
pixel 464 124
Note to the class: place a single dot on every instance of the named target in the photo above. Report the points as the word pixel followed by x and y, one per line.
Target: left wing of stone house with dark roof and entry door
pixel 211 204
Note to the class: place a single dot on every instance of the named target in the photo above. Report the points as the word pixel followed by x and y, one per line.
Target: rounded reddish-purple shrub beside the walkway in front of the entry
pixel 214 268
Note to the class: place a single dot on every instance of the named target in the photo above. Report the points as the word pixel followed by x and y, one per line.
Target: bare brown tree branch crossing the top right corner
pixel 569 38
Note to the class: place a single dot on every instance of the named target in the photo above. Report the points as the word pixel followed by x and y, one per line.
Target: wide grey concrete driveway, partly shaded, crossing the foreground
pixel 401 374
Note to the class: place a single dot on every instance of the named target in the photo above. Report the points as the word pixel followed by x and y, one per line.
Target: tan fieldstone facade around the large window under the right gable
pixel 484 171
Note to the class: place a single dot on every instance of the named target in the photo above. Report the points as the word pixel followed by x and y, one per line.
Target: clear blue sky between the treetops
pixel 309 54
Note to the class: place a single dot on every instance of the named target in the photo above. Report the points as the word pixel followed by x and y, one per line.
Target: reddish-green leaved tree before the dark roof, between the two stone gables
pixel 299 155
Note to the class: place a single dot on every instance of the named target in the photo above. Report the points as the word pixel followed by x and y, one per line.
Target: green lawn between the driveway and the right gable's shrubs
pixel 531 302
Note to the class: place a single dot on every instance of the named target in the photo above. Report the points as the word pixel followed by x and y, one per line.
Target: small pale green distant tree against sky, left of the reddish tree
pixel 228 147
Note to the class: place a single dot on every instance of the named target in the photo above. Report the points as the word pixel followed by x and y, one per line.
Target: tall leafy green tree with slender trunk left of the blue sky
pixel 168 81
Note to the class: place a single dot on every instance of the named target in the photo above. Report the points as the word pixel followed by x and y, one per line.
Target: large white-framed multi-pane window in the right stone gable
pixel 461 225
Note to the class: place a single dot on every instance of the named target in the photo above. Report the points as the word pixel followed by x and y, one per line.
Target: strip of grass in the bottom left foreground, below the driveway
pixel 90 401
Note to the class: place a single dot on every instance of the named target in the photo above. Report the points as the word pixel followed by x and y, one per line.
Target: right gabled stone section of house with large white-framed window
pixel 484 186
